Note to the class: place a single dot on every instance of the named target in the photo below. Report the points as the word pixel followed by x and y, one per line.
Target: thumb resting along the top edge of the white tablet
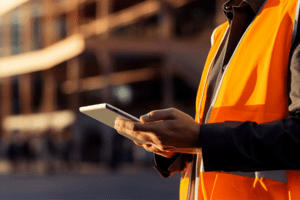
pixel 158 115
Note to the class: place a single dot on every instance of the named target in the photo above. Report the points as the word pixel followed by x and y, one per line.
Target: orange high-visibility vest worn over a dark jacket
pixel 253 88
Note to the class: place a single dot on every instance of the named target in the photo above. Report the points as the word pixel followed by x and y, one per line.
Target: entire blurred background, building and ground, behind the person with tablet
pixel 59 55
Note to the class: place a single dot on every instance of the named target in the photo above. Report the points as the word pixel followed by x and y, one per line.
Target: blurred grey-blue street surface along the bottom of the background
pixel 92 183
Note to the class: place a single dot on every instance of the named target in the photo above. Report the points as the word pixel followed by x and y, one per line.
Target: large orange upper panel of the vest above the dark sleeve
pixel 258 92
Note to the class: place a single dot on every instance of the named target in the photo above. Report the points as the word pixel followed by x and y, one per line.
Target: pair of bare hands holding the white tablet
pixel 164 131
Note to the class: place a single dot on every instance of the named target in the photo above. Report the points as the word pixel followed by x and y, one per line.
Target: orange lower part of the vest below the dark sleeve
pixel 240 188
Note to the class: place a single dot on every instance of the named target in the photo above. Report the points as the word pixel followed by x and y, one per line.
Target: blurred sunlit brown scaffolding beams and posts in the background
pixel 84 34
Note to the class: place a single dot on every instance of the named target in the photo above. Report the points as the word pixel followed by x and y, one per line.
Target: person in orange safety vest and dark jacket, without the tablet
pixel 246 138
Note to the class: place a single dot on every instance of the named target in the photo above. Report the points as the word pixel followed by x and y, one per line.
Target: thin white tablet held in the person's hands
pixel 107 114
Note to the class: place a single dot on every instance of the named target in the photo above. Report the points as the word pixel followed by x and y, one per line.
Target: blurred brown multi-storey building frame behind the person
pixel 139 55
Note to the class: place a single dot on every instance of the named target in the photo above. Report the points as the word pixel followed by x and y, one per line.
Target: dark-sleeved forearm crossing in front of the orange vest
pixel 247 146
